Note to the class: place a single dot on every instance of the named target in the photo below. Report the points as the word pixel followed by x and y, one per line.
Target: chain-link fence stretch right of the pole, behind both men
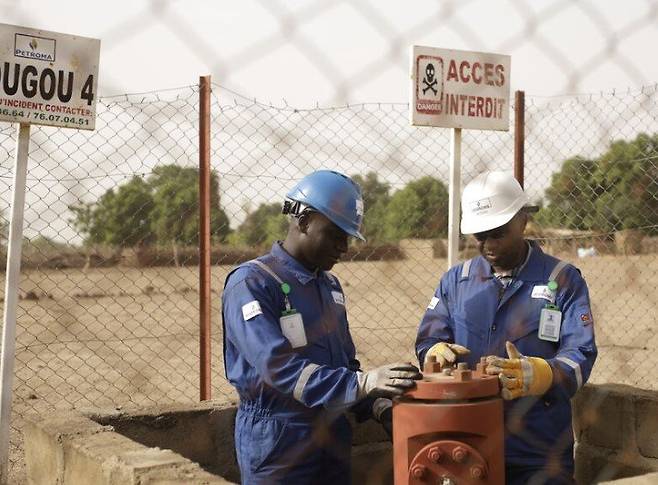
pixel 262 150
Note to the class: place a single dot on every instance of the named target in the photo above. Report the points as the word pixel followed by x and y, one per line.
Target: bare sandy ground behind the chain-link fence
pixel 123 336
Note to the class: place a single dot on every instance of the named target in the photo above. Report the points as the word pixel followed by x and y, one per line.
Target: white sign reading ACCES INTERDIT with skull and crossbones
pixel 459 89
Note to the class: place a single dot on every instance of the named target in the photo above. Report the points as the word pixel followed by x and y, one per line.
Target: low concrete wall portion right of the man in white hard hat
pixel 616 429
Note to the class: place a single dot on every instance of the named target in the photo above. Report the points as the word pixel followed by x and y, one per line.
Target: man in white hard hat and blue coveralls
pixel 529 314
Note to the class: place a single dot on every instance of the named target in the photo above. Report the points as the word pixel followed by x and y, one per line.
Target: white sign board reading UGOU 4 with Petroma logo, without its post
pixel 48 78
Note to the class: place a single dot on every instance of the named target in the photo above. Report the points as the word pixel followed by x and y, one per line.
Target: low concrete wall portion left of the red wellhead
pixel 158 445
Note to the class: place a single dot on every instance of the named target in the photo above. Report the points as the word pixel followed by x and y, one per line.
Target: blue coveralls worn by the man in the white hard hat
pixel 471 308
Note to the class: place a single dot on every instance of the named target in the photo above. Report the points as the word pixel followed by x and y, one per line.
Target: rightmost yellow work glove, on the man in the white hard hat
pixel 520 375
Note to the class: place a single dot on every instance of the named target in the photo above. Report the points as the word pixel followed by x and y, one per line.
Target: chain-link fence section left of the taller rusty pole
pixel 94 327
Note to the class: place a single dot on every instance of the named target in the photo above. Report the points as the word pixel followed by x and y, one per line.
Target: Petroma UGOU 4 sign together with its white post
pixel 48 79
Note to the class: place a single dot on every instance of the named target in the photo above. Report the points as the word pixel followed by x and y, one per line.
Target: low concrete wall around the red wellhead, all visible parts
pixel 616 429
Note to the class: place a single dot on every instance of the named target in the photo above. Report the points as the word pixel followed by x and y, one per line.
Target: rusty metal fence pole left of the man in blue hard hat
pixel 204 237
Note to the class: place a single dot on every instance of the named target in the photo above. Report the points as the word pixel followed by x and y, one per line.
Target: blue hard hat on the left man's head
pixel 334 195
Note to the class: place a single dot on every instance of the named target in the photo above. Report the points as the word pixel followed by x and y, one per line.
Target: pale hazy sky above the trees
pixel 328 52
